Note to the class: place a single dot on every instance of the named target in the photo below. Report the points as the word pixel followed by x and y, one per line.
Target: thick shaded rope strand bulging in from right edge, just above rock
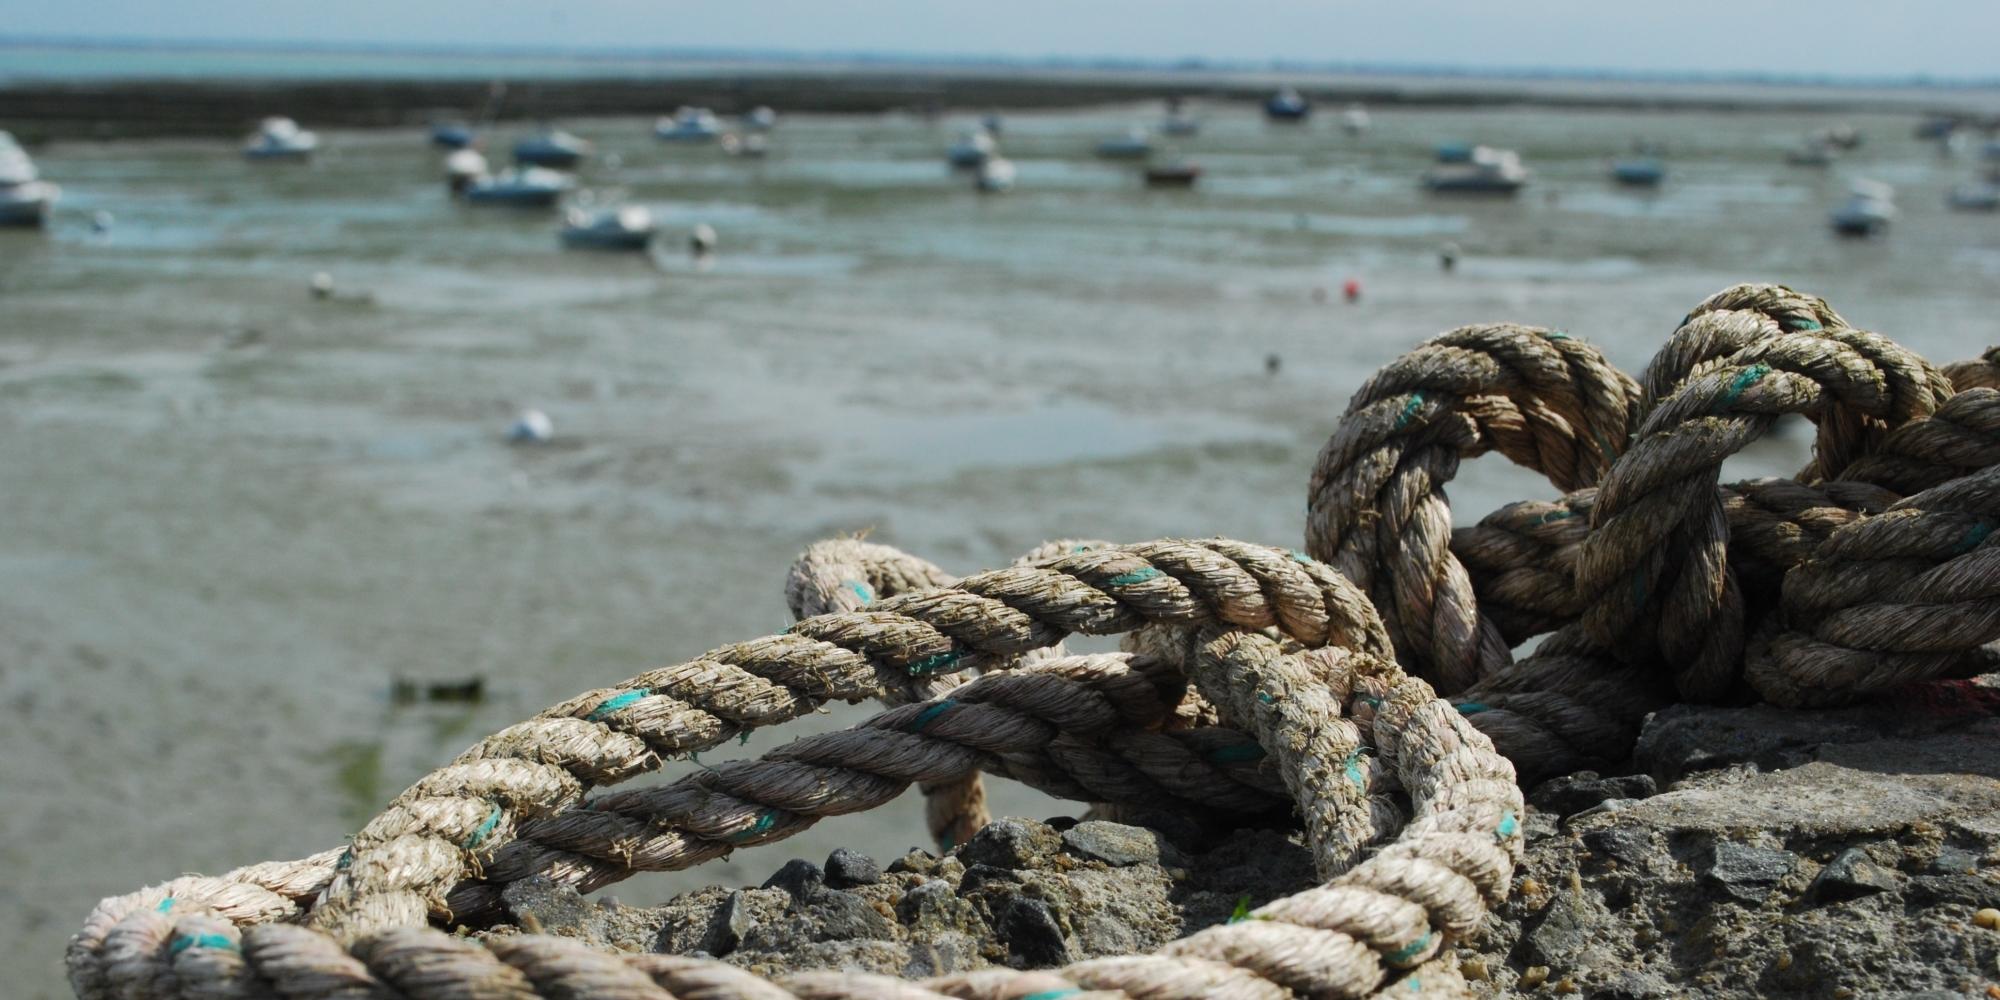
pixel 1907 595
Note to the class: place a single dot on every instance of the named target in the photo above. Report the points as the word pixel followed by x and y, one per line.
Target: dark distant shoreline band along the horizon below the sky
pixel 191 107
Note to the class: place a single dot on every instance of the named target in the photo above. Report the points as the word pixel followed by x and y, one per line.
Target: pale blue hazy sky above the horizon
pixel 1795 37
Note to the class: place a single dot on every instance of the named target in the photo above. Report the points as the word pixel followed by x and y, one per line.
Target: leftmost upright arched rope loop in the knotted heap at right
pixel 1377 505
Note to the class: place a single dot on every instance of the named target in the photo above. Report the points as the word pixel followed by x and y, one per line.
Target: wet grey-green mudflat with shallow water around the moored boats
pixel 237 515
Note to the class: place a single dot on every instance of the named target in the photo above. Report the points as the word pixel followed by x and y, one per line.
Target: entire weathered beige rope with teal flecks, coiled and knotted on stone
pixel 1869 571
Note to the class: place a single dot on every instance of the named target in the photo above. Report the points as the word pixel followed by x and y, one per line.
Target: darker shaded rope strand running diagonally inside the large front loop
pixel 1075 727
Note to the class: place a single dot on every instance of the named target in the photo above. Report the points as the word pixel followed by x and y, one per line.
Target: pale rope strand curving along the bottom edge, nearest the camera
pixel 1397 911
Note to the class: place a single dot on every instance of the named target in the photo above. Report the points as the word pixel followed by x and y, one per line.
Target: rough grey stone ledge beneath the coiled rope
pixel 1749 853
